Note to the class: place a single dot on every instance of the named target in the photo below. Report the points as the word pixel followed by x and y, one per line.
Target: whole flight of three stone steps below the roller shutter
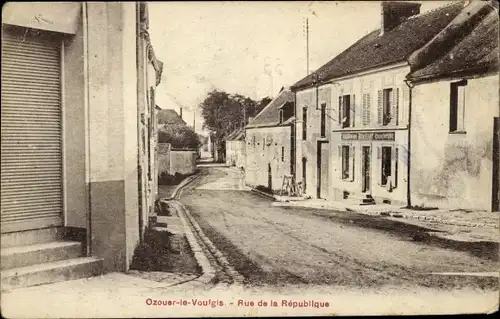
pixel 42 256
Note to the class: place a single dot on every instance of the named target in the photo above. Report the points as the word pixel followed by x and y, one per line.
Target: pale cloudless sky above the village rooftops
pixel 251 48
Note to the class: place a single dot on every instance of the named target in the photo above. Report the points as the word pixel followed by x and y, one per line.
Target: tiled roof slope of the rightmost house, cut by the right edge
pixel 477 52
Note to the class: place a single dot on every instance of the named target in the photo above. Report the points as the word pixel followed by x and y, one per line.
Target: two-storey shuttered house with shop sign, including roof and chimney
pixel 353 112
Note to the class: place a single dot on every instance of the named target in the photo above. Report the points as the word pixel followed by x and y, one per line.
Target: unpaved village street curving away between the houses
pixel 275 246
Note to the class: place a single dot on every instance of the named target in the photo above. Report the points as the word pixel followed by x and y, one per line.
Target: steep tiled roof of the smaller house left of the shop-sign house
pixel 270 115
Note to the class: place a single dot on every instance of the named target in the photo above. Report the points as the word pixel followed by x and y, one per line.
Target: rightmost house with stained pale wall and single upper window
pixel 455 116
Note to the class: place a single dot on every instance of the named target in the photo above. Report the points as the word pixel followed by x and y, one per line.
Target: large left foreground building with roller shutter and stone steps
pixel 78 83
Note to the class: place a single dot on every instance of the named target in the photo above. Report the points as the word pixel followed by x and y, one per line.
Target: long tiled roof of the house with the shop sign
pixel 392 47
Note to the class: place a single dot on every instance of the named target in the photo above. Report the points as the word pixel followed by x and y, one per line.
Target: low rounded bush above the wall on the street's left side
pixel 179 136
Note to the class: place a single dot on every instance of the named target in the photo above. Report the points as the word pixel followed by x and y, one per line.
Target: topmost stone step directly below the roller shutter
pixel 30 237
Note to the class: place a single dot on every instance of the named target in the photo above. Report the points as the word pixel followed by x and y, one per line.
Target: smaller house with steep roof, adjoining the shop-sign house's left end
pixel 269 145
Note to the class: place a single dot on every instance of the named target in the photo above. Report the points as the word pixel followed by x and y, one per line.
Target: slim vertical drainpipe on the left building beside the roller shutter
pixel 86 97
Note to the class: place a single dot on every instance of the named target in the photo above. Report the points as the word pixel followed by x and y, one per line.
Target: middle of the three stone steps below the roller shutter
pixel 22 256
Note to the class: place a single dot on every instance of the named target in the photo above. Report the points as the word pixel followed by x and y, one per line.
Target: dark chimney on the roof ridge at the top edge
pixel 395 12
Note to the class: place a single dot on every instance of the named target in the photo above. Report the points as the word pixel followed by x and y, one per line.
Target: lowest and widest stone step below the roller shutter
pixel 51 272
